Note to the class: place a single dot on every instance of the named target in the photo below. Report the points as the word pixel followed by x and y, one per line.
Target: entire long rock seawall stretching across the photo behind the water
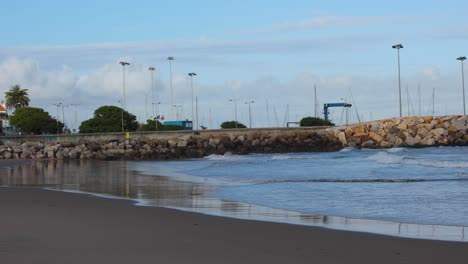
pixel 395 132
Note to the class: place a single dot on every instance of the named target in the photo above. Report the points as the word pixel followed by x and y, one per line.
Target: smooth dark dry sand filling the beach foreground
pixel 40 226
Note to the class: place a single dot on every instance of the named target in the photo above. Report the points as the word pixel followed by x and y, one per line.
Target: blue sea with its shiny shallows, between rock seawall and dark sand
pixel 408 192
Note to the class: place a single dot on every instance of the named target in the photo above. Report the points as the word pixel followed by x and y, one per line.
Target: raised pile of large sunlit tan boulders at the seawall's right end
pixel 405 132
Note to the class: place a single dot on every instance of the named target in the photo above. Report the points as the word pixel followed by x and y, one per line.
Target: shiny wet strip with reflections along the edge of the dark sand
pixel 118 179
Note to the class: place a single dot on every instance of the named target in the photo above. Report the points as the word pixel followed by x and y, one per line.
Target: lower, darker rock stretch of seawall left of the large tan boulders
pixel 175 147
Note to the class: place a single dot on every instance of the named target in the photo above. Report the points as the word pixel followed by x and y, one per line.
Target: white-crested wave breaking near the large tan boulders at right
pixel 387 158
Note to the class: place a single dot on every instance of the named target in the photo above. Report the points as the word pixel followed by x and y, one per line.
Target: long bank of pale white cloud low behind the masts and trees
pixel 104 86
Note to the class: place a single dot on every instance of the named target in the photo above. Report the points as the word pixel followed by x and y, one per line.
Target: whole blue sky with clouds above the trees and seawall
pixel 270 52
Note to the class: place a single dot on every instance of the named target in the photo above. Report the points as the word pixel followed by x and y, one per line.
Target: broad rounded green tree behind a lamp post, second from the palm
pixel 109 119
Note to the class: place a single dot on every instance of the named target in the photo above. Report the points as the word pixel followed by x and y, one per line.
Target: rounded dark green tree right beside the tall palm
pixel 35 120
